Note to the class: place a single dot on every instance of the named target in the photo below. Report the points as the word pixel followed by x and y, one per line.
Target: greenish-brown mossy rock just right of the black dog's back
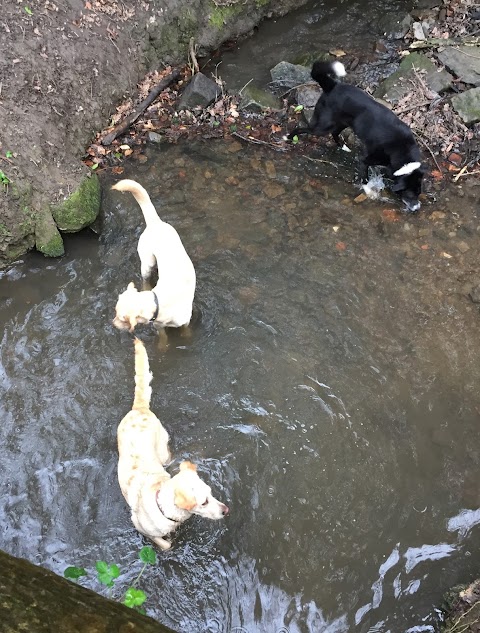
pixel 398 84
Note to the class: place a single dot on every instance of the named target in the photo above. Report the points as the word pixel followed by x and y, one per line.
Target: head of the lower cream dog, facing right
pixel 194 496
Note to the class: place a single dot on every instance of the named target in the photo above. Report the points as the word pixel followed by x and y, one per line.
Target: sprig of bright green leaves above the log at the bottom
pixel 108 573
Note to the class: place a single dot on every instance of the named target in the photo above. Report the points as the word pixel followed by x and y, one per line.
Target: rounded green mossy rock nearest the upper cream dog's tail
pixel 81 209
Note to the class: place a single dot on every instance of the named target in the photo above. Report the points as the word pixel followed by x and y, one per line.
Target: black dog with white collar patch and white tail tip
pixel 388 141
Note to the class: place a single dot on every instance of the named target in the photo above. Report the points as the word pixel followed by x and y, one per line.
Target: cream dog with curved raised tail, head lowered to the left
pixel 169 304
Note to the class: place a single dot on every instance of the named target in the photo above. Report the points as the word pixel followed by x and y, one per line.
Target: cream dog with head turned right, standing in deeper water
pixel 159 503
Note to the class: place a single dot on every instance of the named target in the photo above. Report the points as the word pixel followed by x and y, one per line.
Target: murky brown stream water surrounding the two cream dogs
pixel 329 394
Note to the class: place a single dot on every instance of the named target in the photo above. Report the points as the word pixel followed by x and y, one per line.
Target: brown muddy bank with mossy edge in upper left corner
pixel 65 66
